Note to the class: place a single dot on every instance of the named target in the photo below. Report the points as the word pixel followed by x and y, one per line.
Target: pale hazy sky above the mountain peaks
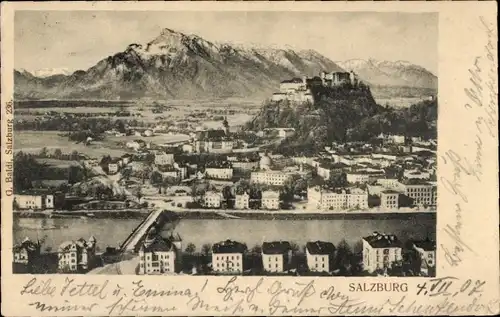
pixel 79 39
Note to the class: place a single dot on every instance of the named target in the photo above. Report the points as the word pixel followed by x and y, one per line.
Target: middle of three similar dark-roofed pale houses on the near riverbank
pixel 276 256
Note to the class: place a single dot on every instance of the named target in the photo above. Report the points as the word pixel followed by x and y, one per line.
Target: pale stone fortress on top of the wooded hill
pixel 301 89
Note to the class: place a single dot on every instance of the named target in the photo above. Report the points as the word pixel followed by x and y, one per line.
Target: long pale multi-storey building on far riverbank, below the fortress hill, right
pixel 324 199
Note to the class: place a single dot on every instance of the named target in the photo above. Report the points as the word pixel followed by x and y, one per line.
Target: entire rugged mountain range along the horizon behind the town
pixel 176 65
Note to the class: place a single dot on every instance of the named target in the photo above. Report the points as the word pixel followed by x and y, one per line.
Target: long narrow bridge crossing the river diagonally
pixel 156 218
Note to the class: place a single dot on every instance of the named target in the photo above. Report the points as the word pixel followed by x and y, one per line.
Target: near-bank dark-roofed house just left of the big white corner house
pixel 320 256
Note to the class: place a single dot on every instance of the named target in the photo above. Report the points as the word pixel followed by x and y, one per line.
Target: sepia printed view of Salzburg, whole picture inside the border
pixel 241 143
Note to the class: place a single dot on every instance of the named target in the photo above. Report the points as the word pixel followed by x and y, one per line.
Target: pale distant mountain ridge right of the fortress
pixel 386 73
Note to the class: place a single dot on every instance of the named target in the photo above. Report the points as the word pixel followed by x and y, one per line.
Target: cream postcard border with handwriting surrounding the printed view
pixel 463 37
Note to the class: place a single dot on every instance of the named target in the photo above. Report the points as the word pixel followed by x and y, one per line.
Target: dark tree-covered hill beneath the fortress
pixel 345 114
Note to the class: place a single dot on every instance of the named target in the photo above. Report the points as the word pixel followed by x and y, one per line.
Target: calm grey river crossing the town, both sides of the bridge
pixel 112 232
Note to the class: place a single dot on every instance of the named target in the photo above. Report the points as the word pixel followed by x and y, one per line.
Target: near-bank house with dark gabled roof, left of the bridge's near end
pixel 76 255
